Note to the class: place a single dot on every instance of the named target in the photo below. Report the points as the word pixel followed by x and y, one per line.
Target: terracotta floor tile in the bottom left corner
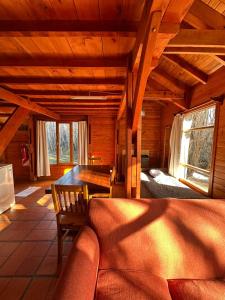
pixel 15 289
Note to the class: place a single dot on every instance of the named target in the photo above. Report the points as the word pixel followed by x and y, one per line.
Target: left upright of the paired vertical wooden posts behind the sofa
pixel 129 95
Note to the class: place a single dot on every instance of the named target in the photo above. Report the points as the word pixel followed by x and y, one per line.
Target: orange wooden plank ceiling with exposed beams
pixel 71 57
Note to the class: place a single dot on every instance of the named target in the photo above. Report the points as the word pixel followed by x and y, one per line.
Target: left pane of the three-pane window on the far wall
pixel 51 140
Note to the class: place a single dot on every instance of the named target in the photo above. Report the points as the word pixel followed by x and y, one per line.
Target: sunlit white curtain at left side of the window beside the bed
pixel 175 146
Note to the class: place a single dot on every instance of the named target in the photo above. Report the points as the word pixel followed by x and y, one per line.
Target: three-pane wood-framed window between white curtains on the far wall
pixel 62 141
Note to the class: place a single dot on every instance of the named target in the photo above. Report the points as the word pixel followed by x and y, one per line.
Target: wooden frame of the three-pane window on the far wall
pixel 71 162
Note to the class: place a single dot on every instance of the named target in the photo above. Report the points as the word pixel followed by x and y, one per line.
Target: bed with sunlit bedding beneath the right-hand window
pixel 162 185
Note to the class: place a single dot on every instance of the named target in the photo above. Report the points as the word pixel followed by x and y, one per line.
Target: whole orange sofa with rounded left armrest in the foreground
pixel 148 249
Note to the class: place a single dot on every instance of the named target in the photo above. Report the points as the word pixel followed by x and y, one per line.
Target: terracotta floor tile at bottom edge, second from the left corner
pixel 40 288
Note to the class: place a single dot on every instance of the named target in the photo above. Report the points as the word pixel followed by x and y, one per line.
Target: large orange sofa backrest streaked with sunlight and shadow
pixel 171 238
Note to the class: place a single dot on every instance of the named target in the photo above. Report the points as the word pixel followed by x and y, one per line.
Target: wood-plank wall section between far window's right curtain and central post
pixel 103 138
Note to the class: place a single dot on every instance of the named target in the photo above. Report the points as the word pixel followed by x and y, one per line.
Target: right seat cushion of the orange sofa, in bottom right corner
pixel 195 289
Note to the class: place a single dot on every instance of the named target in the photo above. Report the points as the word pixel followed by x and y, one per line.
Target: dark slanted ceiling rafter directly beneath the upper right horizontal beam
pixel 187 67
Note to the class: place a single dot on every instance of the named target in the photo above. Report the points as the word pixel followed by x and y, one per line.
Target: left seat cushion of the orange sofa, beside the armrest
pixel 132 285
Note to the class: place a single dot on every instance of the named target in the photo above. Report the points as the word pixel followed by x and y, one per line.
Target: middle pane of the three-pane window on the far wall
pixel 64 143
